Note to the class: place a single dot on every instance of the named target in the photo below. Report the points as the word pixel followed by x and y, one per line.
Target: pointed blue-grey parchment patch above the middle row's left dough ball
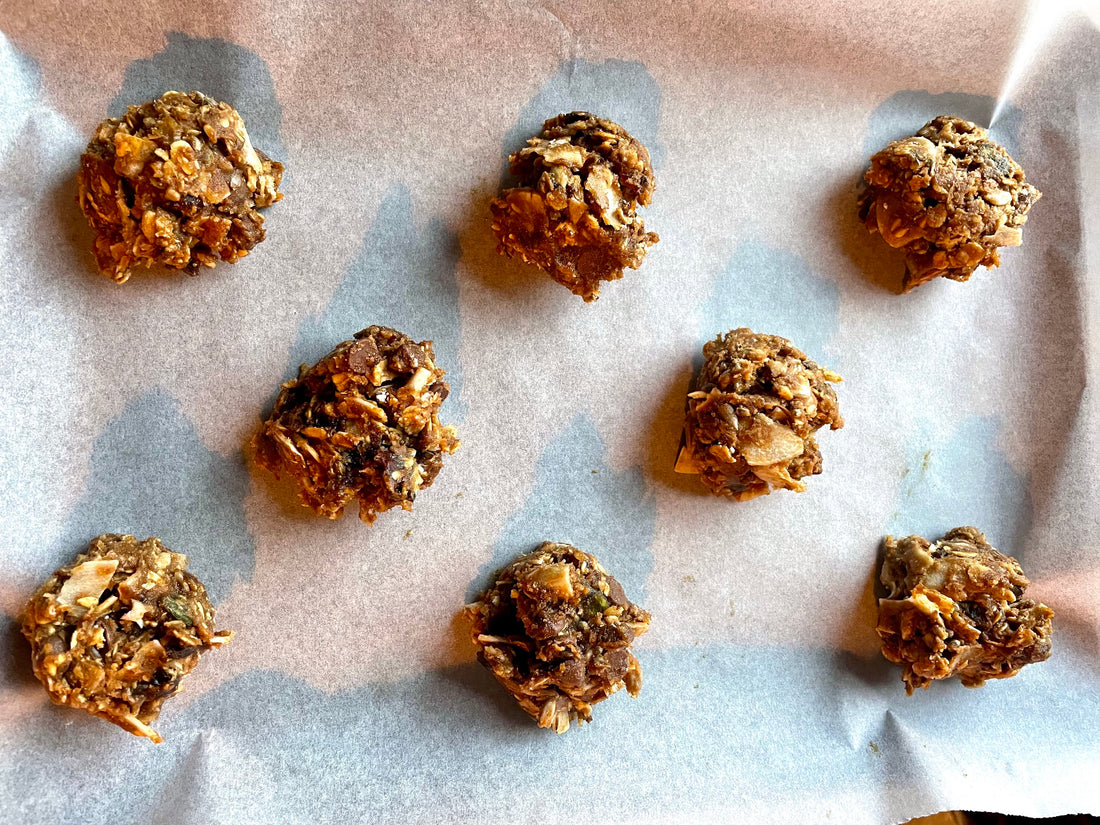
pixel 403 278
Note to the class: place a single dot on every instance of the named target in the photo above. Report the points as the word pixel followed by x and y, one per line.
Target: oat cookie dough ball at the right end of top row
pixel 949 197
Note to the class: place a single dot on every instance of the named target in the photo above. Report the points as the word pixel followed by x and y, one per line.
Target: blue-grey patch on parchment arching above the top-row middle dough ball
pixel 623 92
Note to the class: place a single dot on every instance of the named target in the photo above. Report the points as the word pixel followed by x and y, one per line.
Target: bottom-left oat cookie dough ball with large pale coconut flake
pixel 116 632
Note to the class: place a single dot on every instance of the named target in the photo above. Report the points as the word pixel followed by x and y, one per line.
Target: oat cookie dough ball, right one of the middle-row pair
pixel 753 415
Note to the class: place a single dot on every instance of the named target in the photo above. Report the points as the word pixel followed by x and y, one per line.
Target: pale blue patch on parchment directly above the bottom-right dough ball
pixel 961 479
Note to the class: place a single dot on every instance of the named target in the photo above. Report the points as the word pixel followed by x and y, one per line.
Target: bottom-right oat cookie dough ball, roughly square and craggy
pixel 956 608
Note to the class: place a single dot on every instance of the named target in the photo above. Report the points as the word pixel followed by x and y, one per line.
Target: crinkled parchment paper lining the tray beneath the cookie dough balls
pixel 350 694
